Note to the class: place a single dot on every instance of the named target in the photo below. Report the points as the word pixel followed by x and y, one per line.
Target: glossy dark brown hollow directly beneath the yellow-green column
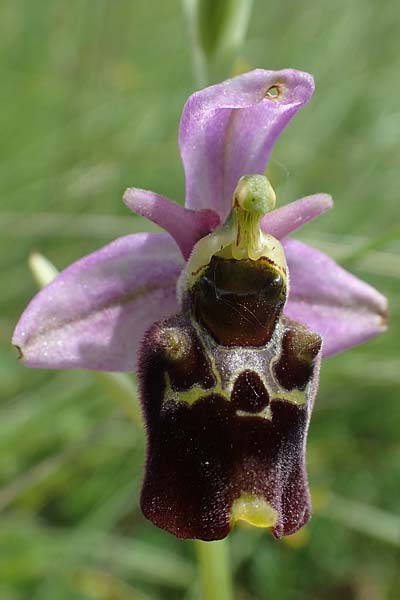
pixel 239 301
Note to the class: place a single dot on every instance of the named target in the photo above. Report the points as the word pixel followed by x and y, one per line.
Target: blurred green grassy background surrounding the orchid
pixel 91 94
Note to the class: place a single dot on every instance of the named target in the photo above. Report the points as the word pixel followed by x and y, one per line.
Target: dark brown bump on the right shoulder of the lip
pixel 295 366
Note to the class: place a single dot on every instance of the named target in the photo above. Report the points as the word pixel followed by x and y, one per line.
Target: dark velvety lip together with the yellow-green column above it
pixel 228 386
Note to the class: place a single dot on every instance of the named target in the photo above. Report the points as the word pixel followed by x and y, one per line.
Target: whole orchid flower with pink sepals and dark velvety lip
pixel 229 368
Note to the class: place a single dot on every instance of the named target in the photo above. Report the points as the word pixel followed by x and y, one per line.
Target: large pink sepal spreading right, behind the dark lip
pixel 344 310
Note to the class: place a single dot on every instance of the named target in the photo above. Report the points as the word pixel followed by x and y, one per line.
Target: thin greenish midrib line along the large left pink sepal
pixel 145 289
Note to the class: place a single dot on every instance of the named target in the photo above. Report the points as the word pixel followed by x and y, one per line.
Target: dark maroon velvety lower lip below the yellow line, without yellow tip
pixel 204 456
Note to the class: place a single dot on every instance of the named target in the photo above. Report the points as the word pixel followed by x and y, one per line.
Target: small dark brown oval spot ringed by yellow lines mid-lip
pixel 249 393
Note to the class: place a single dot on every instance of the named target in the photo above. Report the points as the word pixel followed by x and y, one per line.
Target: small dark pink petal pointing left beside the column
pixel 186 226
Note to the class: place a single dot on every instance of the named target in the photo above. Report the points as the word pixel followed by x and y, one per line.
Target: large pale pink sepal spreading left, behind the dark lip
pixel 95 313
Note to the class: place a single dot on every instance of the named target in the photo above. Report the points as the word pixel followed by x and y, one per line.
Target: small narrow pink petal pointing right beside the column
pixel 285 220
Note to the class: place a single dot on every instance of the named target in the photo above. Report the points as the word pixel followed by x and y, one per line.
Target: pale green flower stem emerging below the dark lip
pixel 214 570
